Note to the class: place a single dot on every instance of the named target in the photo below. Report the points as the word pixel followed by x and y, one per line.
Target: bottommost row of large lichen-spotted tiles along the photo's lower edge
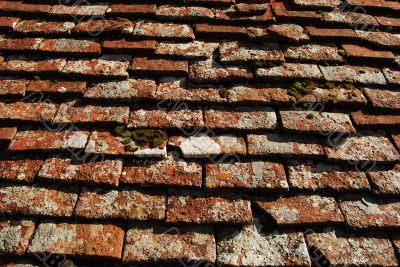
pixel 248 246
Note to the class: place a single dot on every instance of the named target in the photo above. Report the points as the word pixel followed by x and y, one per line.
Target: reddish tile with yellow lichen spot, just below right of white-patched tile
pixel 248 175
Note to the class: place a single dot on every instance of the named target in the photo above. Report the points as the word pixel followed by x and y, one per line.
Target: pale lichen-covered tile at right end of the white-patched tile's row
pixel 364 147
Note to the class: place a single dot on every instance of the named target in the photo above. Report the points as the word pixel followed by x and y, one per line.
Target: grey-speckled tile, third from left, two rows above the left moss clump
pixel 126 90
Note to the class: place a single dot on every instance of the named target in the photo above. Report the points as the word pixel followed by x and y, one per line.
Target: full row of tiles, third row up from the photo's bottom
pixel 306 176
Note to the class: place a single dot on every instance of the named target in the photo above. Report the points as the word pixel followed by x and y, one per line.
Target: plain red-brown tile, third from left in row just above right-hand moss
pixel 158 67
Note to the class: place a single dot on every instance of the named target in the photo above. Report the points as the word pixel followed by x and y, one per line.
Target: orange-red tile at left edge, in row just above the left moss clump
pixel 21 111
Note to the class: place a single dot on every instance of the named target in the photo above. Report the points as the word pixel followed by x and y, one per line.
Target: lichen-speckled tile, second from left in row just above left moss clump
pixel 88 114
